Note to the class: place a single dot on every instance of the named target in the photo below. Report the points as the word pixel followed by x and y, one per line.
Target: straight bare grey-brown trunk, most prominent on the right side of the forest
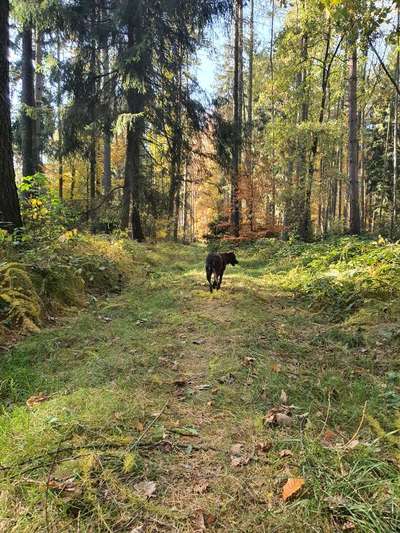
pixel 354 199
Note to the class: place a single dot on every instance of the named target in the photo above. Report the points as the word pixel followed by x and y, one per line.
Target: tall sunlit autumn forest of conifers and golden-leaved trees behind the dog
pixel 111 128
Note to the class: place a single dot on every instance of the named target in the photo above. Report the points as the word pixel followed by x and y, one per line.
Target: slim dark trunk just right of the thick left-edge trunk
pixel 28 104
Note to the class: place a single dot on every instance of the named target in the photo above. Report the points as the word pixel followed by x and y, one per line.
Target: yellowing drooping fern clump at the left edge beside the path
pixel 20 304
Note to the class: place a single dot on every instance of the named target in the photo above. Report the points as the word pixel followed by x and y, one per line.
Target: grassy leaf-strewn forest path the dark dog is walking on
pixel 166 408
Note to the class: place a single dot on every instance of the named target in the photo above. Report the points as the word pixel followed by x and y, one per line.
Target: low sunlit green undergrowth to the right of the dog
pixel 339 276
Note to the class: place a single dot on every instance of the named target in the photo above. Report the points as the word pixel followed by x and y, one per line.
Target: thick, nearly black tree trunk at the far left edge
pixel 9 204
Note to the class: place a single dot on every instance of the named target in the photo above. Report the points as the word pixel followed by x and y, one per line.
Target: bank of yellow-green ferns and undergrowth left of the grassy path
pixel 49 278
